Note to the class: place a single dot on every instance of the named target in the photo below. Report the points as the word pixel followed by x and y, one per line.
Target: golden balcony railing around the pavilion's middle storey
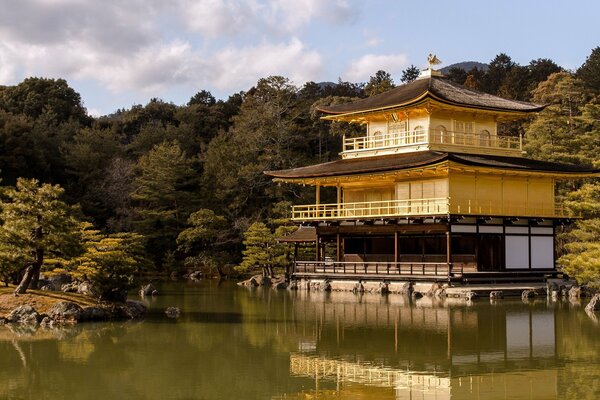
pixel 425 207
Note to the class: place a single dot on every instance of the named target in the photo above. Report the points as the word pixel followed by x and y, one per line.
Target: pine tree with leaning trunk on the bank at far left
pixel 36 224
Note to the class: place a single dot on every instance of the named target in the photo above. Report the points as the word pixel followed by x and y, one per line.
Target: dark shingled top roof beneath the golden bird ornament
pixel 435 87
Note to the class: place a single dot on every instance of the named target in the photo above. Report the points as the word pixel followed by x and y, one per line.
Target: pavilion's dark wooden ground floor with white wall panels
pixel 453 248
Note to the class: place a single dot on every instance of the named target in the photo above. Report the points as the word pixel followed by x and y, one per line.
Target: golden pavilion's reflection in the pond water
pixel 428 350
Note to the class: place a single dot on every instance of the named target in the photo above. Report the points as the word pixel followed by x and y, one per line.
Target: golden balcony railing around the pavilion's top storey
pixel 424 137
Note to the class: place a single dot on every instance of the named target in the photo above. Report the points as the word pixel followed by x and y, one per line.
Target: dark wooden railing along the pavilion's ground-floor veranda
pixel 364 268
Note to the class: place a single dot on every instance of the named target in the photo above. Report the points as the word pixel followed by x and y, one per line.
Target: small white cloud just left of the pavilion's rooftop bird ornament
pixel 366 66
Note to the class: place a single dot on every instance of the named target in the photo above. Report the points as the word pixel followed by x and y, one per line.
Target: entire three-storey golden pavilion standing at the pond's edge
pixel 432 191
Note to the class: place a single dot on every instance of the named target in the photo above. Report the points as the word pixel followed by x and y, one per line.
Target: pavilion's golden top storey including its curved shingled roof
pixel 431 113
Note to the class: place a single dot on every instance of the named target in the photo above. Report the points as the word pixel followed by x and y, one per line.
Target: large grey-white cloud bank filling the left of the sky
pixel 142 46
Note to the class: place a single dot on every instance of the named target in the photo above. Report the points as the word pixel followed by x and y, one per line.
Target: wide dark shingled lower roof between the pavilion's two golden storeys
pixel 394 162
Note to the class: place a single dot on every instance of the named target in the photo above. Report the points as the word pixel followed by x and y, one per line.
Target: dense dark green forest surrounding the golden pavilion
pixel 165 188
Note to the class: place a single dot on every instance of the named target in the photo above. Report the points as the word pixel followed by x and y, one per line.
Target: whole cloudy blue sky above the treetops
pixel 117 53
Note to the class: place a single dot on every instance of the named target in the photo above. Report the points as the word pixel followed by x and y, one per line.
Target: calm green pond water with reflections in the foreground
pixel 237 343
